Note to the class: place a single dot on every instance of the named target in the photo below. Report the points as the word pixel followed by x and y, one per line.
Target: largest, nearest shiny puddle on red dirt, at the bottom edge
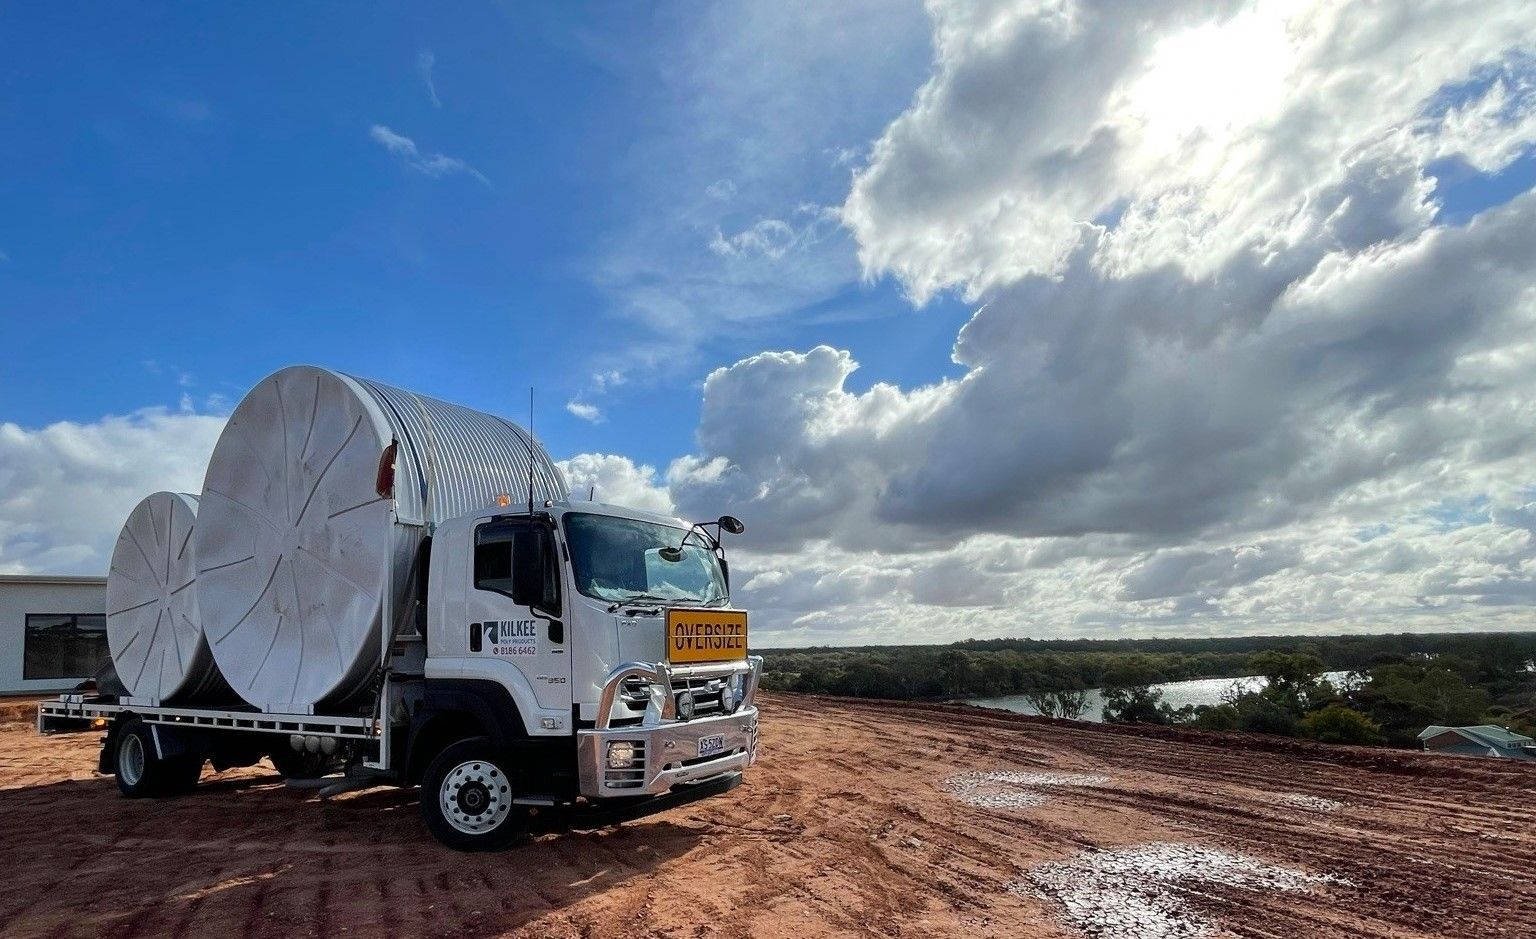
pixel 1139 892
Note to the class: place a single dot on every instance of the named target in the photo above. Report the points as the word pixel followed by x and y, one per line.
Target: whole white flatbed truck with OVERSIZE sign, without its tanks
pixel 571 666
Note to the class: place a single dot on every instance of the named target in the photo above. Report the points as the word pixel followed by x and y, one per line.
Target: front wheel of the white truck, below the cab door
pixel 466 798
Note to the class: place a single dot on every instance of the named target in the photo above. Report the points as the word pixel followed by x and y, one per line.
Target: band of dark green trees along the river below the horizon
pixel 1395 685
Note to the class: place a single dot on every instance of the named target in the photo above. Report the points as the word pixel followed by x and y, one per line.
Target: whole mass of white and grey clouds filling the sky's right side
pixel 1228 370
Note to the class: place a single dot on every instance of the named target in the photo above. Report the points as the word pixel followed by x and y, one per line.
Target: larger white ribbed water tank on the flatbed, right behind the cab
pixel 302 531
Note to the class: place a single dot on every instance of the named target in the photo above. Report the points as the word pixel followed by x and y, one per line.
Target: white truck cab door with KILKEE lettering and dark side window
pixel 531 637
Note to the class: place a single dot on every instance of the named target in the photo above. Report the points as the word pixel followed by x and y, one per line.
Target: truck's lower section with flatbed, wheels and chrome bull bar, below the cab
pixel 159 751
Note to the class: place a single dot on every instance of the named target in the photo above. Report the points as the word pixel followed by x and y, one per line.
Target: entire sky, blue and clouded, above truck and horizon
pixel 988 317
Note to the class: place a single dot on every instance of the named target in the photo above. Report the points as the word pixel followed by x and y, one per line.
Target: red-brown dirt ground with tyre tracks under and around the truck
pixel 844 829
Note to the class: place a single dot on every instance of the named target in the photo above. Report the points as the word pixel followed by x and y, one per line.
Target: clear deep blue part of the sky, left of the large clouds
pixel 196 199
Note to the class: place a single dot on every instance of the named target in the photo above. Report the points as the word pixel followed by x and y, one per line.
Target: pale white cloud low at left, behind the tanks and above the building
pixel 67 489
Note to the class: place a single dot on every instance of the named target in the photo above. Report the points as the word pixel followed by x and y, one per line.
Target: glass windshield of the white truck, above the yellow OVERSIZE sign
pixel 620 560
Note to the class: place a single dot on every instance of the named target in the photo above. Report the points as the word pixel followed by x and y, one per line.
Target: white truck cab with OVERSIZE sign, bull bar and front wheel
pixel 589 654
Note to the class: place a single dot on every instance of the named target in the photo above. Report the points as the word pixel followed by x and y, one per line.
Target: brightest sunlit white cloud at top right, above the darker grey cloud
pixel 1208 128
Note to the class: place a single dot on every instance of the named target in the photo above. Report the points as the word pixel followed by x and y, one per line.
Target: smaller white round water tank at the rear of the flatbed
pixel 153 626
